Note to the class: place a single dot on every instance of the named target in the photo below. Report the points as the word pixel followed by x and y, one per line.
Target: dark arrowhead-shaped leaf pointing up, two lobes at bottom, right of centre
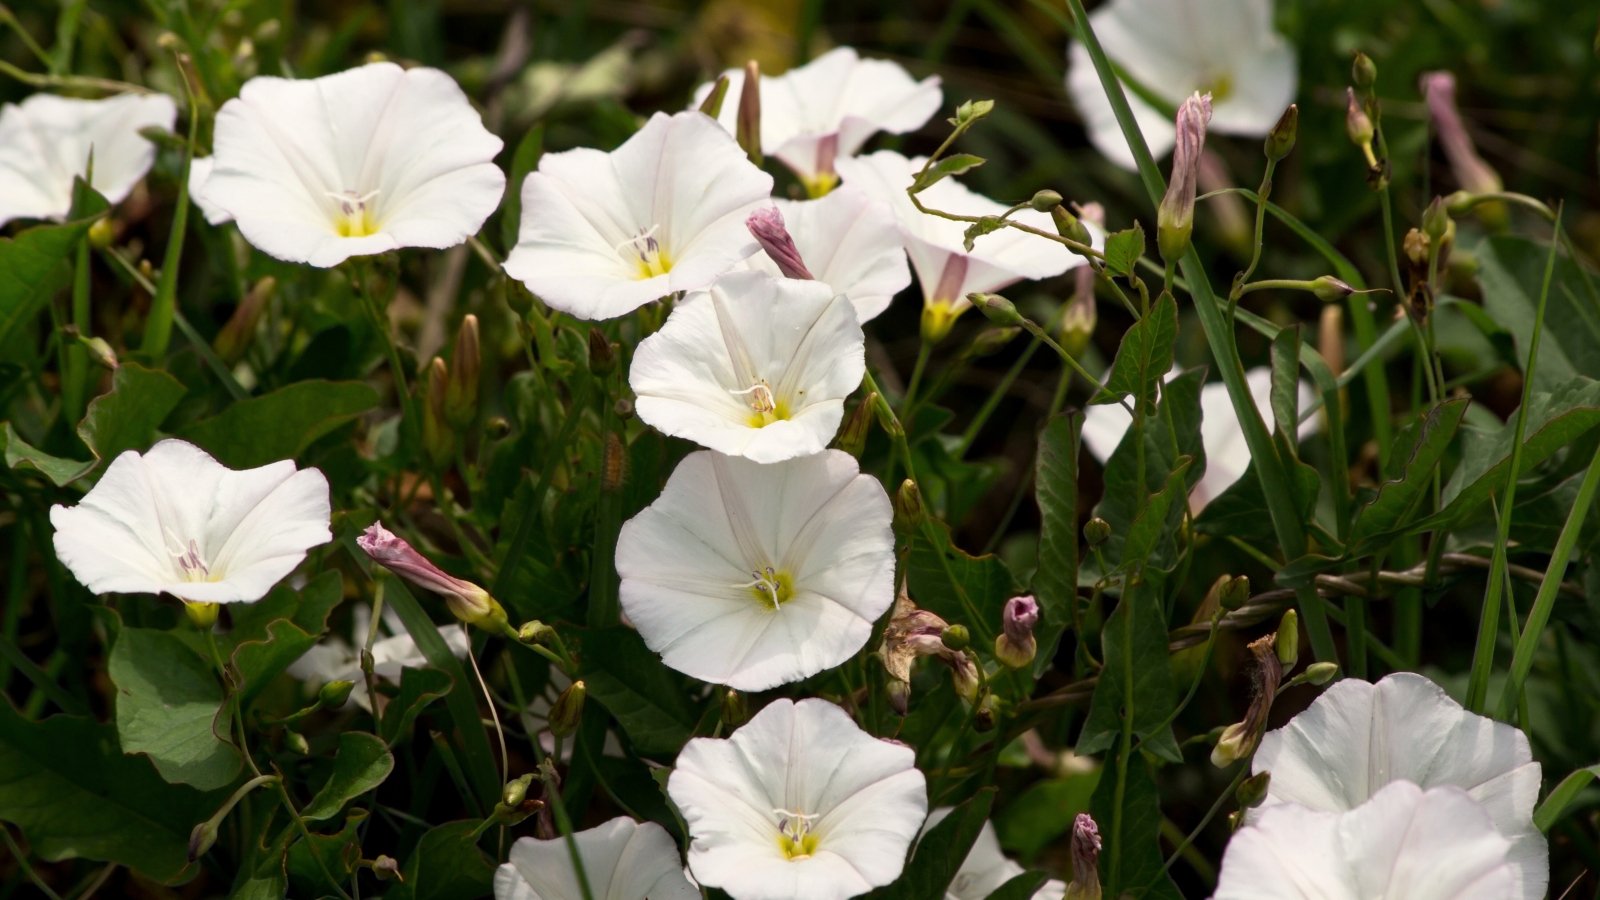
pixel 1137 683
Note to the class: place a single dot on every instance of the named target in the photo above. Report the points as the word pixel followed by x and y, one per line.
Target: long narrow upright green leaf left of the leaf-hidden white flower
pixel 1057 489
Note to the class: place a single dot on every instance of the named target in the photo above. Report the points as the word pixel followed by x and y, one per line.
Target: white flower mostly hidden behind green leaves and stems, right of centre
pixel 1226 454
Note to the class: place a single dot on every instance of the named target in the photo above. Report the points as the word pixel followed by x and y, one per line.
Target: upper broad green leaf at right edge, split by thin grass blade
pixel 1511 271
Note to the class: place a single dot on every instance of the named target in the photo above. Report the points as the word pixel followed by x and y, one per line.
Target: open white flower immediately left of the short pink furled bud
pixel 604 235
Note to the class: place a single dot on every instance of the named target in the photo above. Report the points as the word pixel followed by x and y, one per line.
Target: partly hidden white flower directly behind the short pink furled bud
pixel 850 244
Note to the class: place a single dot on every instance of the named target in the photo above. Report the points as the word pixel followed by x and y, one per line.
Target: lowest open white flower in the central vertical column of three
pixel 799 805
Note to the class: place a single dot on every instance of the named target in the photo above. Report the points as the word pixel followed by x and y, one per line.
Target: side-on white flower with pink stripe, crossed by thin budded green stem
pixel 945 268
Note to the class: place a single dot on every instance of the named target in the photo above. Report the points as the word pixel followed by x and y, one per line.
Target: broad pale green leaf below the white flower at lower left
pixel 170 709
